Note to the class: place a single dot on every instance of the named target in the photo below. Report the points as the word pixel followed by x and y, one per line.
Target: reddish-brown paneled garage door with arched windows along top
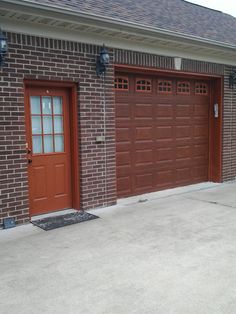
pixel 162 132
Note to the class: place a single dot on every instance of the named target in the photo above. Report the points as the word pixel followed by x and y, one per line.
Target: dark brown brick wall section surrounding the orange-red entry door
pixel 32 57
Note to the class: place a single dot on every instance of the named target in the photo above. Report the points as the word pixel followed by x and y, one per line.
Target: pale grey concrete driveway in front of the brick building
pixel 173 253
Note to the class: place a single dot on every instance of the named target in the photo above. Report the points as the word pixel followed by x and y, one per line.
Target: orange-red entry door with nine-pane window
pixel 48 149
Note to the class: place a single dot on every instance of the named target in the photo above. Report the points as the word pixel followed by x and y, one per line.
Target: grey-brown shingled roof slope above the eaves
pixel 174 15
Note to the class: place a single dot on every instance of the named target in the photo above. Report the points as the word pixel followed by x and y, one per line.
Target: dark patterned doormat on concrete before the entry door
pixel 54 222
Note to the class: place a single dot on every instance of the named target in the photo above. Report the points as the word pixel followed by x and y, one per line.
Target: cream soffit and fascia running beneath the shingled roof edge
pixel 61 26
